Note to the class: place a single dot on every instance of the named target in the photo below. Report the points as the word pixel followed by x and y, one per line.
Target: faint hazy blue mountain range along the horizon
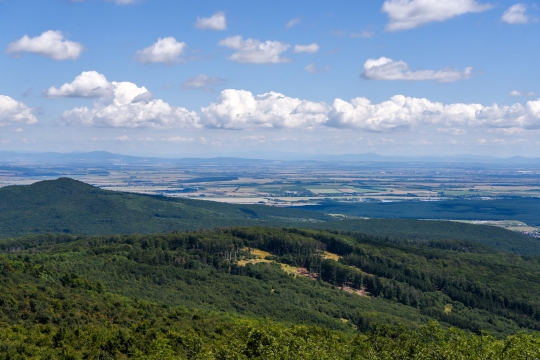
pixel 104 157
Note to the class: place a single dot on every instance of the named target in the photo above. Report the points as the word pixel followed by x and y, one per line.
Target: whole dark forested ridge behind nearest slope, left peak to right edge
pixel 72 207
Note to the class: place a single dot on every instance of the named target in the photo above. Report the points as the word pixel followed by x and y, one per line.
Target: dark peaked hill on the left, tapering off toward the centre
pixel 69 206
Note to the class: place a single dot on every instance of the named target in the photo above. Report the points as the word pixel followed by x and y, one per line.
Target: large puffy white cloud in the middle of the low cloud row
pixel 239 109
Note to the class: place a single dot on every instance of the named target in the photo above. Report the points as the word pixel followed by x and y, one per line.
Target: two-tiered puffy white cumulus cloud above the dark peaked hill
pixel 119 104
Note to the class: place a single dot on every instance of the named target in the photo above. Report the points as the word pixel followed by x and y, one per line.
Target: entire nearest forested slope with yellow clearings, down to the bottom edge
pixel 203 294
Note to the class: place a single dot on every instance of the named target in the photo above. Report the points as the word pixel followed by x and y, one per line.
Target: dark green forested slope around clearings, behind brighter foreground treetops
pixel 409 283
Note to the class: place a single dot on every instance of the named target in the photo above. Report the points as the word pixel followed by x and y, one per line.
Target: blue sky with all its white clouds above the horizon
pixel 172 78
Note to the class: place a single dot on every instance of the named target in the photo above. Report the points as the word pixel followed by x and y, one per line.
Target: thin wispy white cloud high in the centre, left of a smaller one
pixel 254 51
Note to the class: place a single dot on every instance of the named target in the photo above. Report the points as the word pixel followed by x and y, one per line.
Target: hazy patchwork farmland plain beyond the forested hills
pixel 455 190
